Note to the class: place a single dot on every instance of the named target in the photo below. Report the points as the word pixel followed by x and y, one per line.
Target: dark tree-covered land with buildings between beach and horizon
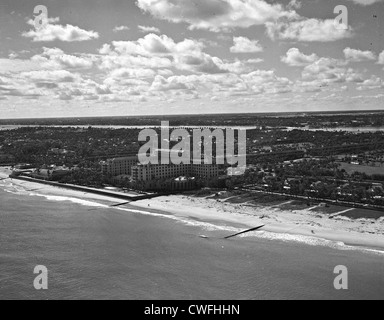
pixel 329 157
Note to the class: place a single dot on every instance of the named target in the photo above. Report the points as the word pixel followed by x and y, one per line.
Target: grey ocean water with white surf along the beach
pixel 96 252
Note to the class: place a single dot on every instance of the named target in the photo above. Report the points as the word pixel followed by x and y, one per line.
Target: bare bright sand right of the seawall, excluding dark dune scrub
pixel 283 222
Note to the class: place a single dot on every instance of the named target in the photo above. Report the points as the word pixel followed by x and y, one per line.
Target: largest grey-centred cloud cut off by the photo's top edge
pixel 216 15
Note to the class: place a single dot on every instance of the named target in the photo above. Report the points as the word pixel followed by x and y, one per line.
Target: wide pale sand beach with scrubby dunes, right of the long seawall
pixel 361 232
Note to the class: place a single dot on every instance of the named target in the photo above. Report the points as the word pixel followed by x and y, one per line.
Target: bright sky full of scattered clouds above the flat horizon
pixel 150 57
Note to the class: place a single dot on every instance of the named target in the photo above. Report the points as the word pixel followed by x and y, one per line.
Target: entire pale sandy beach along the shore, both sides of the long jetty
pixel 364 233
